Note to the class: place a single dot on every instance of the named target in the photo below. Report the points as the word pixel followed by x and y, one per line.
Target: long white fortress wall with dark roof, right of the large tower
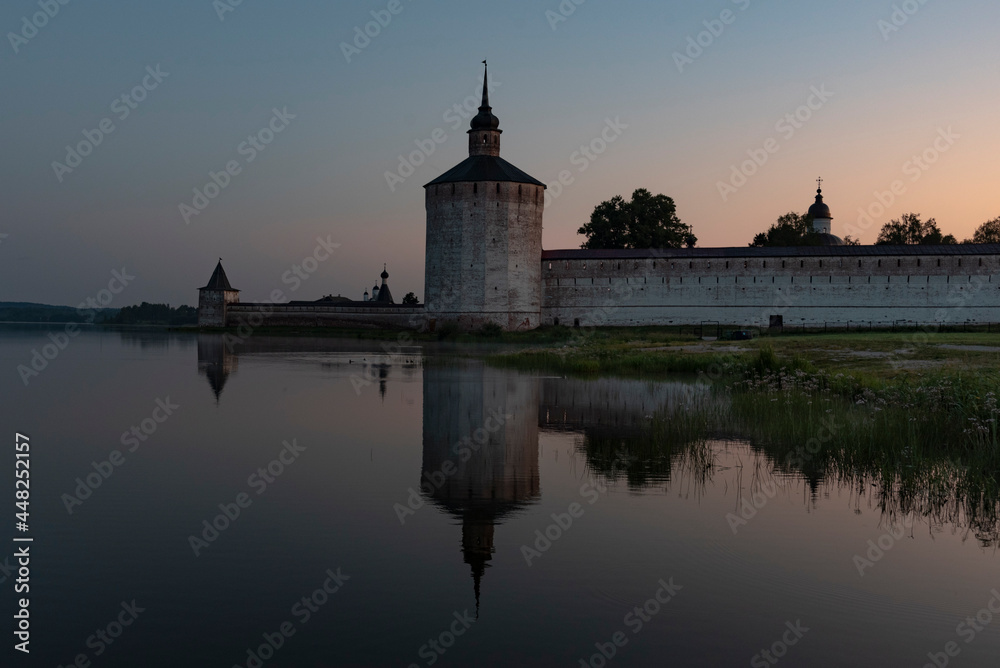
pixel 868 285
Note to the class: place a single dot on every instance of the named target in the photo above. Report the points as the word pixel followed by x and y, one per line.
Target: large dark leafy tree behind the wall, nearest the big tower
pixel 647 221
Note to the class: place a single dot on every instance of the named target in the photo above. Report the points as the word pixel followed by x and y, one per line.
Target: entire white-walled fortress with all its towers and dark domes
pixel 485 265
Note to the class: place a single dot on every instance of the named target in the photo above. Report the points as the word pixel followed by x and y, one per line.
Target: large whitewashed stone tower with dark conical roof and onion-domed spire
pixel 484 237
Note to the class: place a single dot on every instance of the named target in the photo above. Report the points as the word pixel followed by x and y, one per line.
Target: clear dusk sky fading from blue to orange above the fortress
pixel 894 104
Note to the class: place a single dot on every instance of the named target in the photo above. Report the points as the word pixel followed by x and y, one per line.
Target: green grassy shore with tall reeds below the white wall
pixel 911 417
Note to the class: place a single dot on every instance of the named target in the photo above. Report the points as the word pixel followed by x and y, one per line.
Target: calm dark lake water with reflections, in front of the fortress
pixel 457 515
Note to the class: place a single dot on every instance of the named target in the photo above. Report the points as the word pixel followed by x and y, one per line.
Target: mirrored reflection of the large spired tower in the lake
pixel 480 459
